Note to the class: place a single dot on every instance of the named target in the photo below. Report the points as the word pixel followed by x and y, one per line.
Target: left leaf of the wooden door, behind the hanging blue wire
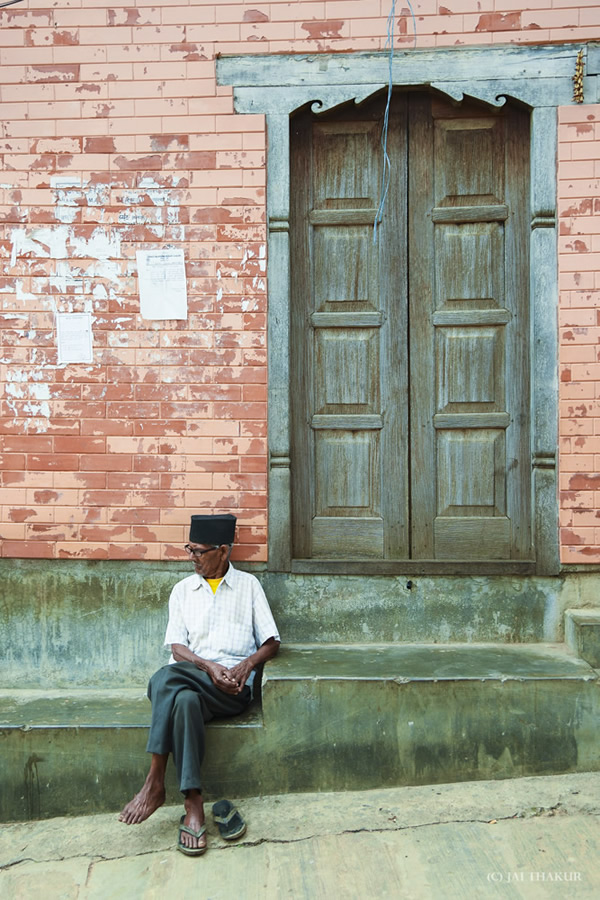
pixel 348 306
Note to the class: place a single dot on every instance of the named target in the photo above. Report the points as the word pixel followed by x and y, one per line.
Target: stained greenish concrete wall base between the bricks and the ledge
pixel 89 623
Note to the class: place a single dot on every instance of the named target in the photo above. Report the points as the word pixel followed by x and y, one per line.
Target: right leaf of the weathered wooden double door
pixel 469 319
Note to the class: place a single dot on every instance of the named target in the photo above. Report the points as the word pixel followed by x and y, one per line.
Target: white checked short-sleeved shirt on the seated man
pixel 225 627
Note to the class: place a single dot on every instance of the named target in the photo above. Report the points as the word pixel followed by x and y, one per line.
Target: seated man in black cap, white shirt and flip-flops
pixel 220 628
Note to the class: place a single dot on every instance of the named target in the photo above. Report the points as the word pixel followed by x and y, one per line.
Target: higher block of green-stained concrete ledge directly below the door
pixel 376 715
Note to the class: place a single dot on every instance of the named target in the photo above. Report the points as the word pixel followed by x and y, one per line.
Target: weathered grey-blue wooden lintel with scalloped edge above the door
pixel 540 76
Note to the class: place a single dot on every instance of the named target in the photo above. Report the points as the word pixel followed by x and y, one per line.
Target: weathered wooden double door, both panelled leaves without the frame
pixel 410 348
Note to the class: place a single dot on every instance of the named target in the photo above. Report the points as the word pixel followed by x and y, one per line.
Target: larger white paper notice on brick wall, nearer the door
pixel 163 291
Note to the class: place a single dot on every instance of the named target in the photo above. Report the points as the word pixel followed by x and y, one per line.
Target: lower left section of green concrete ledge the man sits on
pixel 76 752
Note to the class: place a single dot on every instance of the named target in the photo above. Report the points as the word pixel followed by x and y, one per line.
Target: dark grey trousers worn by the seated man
pixel 184 698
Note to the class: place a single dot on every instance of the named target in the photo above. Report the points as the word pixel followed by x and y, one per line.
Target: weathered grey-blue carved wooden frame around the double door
pixel 540 77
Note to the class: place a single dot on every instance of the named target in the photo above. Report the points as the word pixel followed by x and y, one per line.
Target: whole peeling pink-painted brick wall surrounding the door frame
pixel 114 137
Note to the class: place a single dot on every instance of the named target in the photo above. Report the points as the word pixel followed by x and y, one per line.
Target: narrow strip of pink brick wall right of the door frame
pixel 579 264
